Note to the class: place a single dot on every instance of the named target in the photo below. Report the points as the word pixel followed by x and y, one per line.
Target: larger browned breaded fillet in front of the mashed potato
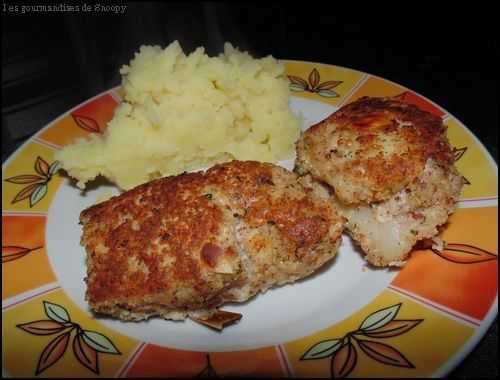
pixel 180 246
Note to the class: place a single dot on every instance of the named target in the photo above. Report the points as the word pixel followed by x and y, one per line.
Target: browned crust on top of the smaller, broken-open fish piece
pixel 372 148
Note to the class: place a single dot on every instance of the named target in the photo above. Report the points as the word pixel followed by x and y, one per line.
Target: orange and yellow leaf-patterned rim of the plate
pixel 397 334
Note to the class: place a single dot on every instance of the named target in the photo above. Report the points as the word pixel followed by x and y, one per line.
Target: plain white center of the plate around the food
pixel 282 314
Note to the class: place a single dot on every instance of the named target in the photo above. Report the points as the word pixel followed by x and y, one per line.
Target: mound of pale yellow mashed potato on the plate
pixel 182 113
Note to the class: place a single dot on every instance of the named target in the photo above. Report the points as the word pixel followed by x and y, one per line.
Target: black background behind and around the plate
pixel 53 61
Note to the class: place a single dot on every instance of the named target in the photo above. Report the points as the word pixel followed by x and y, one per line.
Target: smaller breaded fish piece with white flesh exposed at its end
pixel 392 170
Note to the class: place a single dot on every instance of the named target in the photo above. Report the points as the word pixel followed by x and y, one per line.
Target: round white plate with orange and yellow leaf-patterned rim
pixel 424 318
